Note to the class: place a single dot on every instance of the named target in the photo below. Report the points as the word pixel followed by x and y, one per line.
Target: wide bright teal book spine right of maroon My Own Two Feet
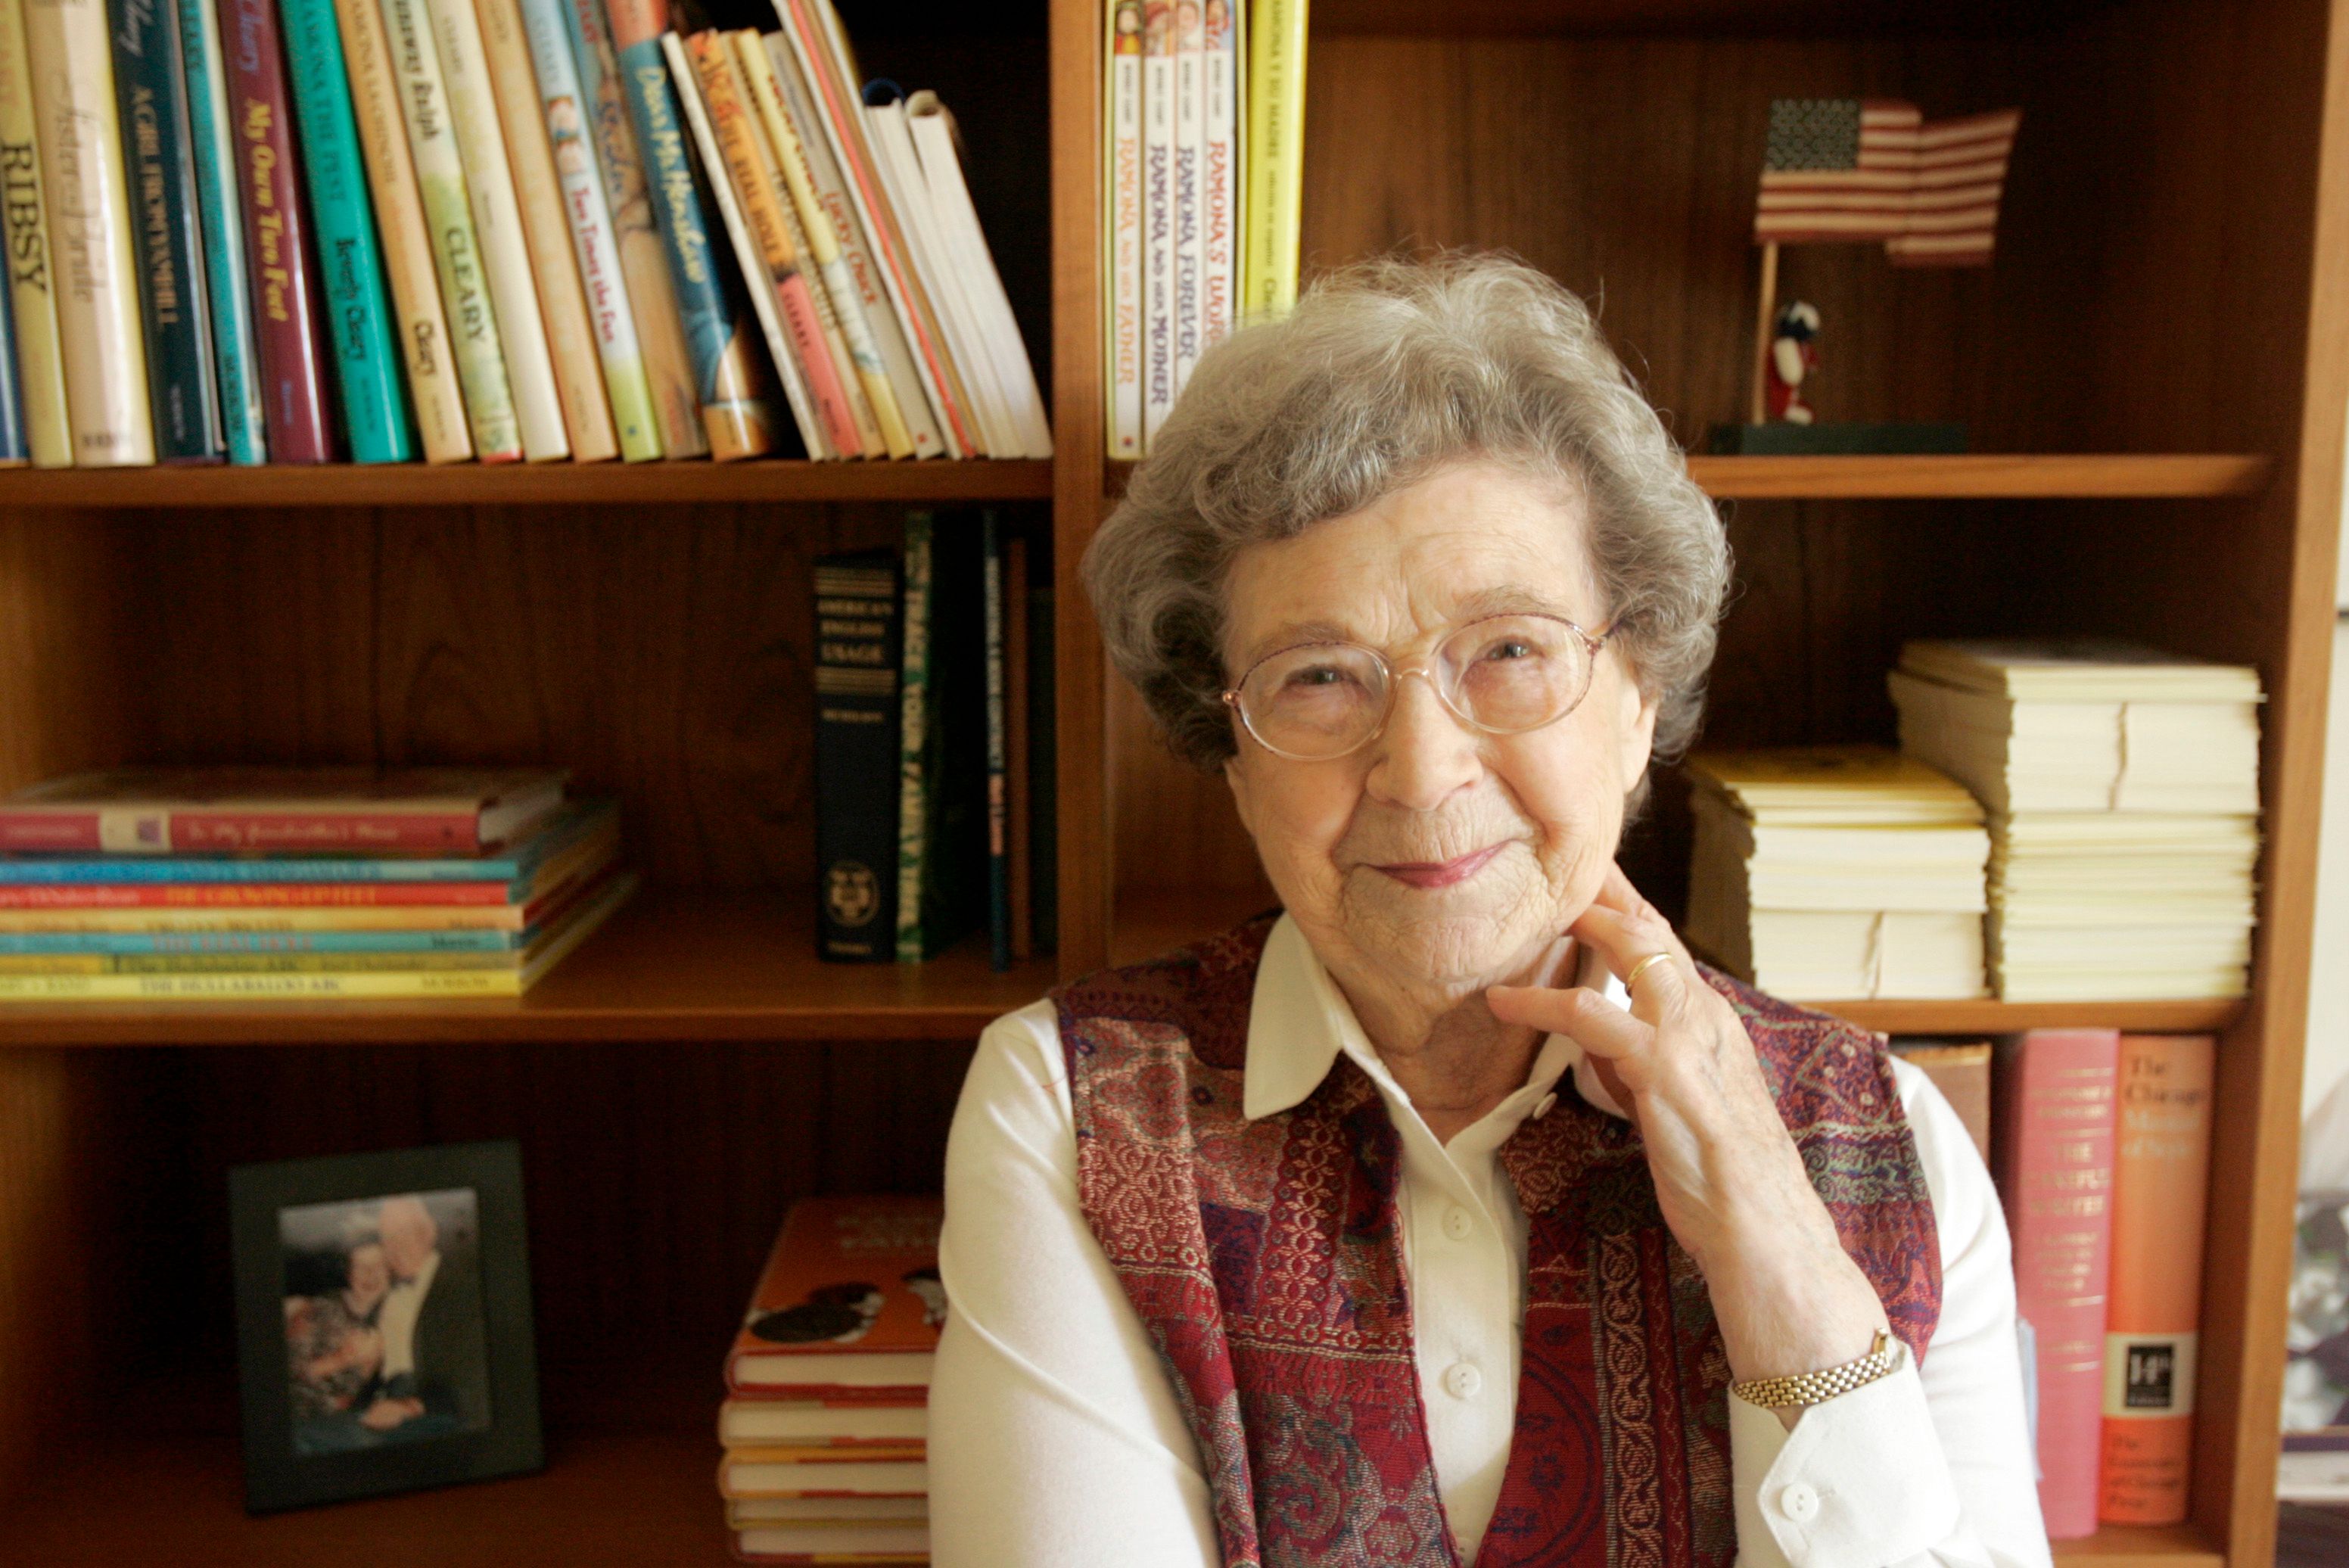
pixel 351 264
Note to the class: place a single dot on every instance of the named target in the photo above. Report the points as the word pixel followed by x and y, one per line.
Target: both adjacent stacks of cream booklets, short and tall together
pixel 2066 820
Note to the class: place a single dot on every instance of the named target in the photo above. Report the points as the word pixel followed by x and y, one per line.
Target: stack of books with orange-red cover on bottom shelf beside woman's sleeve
pixel 828 1421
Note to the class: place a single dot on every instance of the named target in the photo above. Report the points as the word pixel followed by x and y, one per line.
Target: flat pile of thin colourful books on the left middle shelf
pixel 299 884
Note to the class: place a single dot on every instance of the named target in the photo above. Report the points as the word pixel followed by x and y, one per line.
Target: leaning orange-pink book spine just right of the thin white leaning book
pixel 760 194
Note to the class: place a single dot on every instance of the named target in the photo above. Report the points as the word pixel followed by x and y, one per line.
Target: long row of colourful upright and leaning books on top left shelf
pixel 295 231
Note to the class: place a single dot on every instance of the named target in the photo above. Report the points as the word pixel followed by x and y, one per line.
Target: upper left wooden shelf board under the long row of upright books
pixel 469 485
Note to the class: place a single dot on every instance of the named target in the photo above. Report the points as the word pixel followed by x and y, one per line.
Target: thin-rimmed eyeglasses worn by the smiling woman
pixel 1502 675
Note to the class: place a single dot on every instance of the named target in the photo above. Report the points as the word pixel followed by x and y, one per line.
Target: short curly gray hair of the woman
pixel 1385 374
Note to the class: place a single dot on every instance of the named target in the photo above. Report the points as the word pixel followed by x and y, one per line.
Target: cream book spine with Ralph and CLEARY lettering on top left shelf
pixel 457 245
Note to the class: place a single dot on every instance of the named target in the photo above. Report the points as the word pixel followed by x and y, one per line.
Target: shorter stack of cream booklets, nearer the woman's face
pixel 1838 872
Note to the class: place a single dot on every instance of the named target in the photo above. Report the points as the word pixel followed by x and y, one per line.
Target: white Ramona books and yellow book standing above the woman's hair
pixel 1202 191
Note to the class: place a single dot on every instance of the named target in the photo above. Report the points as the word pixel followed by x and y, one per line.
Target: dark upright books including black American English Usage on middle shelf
pixel 934 745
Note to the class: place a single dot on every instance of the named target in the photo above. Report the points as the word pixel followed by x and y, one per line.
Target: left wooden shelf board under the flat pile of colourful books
pixel 671 966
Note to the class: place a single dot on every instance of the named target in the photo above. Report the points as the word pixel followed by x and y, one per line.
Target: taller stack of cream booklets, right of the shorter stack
pixel 2125 809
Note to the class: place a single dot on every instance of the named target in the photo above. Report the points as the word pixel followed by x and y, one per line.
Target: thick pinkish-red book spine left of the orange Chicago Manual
pixel 2054 1140
